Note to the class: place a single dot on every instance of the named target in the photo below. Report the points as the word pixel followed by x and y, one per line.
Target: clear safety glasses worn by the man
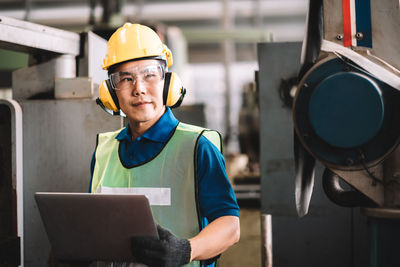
pixel 127 79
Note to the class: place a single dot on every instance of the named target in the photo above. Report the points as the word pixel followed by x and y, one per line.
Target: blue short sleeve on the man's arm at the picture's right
pixel 216 195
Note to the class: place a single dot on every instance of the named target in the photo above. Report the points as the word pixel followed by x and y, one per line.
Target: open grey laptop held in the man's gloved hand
pixel 83 226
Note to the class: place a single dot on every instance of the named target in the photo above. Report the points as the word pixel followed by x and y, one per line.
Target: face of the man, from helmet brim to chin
pixel 139 88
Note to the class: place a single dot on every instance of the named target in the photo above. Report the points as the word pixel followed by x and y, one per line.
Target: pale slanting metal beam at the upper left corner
pixel 18 35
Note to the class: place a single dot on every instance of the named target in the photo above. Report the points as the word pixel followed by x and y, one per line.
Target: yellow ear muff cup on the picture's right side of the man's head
pixel 173 90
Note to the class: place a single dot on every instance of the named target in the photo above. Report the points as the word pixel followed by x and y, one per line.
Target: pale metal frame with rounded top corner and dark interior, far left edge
pixel 11 184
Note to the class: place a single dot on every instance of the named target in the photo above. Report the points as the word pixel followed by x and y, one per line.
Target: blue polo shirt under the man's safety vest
pixel 216 196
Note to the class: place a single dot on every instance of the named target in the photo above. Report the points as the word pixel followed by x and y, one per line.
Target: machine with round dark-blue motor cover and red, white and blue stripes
pixel 346 114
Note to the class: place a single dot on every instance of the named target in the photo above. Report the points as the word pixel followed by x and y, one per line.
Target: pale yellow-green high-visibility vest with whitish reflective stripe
pixel 168 180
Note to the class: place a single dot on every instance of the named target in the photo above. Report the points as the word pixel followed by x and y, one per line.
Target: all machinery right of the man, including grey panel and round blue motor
pixel 335 100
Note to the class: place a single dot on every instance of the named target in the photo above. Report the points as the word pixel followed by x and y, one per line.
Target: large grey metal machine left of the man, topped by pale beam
pixel 48 130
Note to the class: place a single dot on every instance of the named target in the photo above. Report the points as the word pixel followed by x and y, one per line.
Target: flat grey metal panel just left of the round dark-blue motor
pixel 276 61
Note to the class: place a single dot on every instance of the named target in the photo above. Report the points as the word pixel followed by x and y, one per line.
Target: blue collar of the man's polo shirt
pixel 159 132
